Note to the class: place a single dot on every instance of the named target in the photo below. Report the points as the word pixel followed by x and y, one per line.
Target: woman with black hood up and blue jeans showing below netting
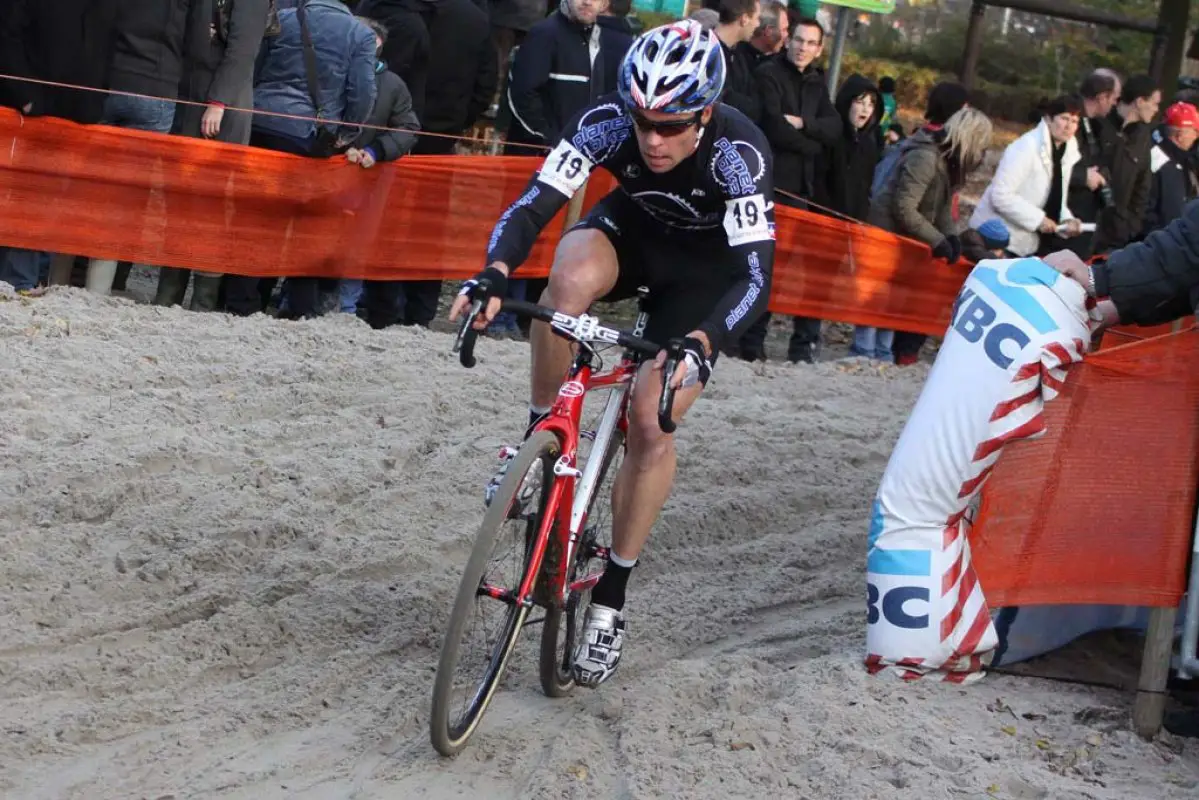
pixel 853 161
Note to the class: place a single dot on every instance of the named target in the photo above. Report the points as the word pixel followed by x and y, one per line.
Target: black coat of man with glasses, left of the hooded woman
pixel 802 158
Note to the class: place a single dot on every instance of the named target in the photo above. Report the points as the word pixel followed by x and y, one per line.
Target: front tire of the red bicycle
pixel 448 738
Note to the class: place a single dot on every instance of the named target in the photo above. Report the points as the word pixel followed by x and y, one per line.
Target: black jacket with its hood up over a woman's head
pixel 857 153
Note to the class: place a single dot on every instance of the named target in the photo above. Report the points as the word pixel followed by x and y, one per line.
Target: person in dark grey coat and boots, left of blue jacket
pixel 221 75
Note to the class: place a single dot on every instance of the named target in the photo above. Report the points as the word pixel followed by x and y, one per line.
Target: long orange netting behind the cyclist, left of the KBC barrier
pixel 178 202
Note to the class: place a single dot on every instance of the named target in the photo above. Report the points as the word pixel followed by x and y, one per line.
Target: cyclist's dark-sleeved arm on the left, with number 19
pixel 562 175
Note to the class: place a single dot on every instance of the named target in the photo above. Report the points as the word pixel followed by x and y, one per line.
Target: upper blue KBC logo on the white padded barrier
pixel 974 318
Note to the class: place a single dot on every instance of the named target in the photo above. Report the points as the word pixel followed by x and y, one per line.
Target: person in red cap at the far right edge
pixel 1176 181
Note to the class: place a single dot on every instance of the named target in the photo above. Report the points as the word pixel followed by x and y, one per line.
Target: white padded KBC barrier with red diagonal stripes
pixel 1017 327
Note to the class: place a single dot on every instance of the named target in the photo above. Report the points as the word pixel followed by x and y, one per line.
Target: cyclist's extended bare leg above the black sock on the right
pixel 646 477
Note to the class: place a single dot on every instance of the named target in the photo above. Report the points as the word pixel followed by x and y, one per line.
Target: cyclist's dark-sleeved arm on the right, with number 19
pixel 750 232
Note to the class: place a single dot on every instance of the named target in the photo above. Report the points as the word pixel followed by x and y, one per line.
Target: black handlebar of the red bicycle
pixel 585 329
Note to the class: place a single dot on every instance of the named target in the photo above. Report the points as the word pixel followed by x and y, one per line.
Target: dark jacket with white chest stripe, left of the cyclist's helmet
pixel 553 76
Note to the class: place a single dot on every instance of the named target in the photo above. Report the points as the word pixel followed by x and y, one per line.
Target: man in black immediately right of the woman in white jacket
pixel 1100 92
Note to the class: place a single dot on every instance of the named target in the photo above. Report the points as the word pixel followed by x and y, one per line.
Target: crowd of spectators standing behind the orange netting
pixel 1099 170
